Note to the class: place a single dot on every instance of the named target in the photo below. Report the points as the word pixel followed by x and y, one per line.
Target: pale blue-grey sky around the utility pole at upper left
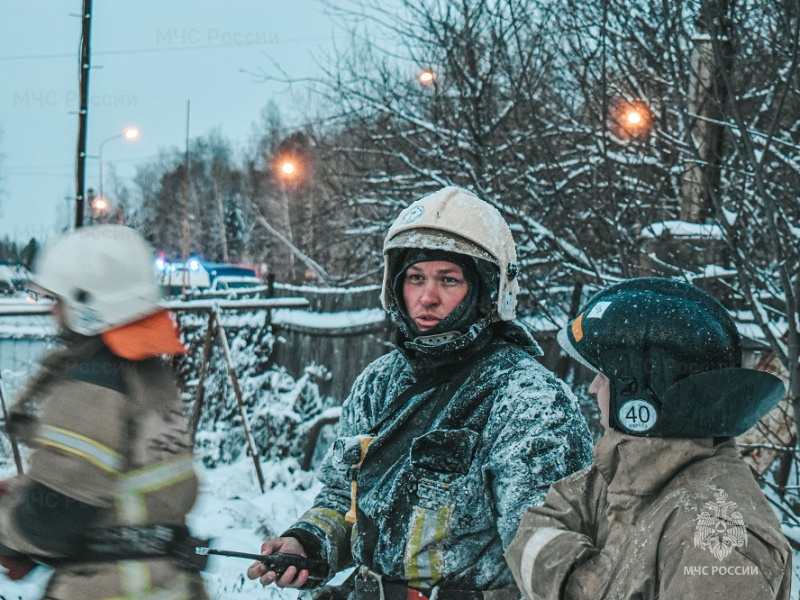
pixel 148 57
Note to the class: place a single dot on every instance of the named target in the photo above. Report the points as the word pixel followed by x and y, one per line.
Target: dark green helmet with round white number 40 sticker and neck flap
pixel 673 356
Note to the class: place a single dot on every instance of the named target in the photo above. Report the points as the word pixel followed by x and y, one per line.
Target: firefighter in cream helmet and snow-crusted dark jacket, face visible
pixel 445 440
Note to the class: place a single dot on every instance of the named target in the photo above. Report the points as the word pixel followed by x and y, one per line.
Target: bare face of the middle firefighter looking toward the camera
pixel 431 290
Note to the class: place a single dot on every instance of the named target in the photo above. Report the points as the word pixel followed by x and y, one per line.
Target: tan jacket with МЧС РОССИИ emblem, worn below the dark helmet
pixel 654 518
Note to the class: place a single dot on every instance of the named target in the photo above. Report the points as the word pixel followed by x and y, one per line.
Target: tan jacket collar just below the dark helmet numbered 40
pixel 640 466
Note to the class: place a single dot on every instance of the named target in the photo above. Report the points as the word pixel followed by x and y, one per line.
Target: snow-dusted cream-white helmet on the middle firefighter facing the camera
pixel 456 220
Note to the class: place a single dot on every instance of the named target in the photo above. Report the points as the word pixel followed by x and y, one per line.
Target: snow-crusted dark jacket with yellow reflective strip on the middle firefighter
pixel 452 500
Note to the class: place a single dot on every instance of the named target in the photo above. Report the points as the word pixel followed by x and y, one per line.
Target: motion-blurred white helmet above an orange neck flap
pixel 104 276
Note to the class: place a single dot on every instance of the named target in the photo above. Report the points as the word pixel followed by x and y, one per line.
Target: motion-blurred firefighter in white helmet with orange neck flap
pixel 110 477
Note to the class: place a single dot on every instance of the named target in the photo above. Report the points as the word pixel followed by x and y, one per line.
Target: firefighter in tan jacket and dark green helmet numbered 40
pixel 668 510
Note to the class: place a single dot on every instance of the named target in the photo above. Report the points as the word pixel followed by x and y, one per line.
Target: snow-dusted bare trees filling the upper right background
pixel 588 125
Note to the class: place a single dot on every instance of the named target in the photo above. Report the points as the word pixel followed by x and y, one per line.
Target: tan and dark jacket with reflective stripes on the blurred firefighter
pixel 111 448
